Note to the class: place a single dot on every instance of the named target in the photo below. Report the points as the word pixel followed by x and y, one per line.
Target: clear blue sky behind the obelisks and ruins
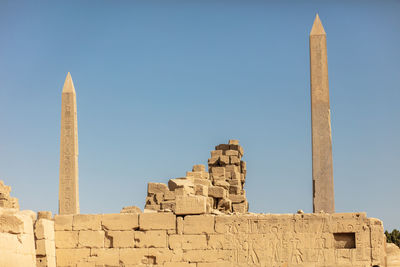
pixel 160 83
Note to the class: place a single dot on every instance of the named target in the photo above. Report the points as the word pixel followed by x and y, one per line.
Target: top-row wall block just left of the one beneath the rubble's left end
pixel 118 221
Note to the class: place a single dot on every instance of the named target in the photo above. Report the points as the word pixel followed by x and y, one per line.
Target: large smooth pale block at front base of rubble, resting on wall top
pixel 190 205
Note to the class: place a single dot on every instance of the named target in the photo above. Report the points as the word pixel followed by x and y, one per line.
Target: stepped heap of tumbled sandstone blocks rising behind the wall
pixel 220 189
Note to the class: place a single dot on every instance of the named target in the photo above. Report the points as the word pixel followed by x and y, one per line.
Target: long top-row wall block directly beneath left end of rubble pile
pixel 157 221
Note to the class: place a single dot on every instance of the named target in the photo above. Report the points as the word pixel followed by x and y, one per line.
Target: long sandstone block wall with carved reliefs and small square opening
pixel 164 239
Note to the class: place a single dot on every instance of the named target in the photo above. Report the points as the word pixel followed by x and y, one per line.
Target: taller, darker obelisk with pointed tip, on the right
pixel 322 169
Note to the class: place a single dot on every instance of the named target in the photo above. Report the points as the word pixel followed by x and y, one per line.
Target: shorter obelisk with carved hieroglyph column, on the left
pixel 68 202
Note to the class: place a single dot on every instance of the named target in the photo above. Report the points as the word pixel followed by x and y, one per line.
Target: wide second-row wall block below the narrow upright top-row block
pixel 187 242
